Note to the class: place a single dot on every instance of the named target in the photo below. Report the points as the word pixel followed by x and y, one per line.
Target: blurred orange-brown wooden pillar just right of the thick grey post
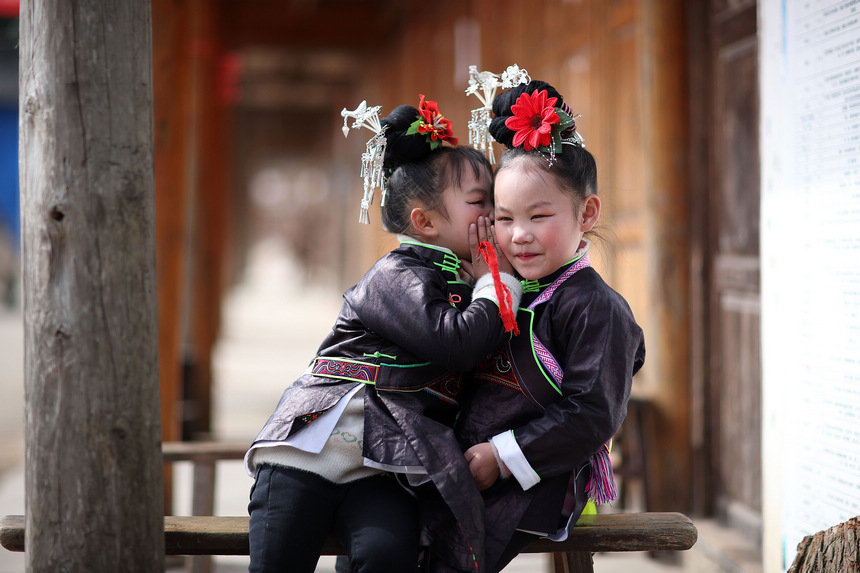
pixel 171 94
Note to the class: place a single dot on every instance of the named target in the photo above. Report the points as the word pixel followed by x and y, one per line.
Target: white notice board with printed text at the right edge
pixel 810 239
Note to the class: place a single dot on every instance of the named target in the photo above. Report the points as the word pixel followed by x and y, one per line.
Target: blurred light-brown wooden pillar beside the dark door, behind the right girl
pixel 668 342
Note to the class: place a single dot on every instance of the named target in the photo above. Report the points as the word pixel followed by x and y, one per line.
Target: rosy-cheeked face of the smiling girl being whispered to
pixel 538 225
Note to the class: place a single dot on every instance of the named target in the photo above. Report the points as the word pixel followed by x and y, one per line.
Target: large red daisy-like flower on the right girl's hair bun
pixel 537 123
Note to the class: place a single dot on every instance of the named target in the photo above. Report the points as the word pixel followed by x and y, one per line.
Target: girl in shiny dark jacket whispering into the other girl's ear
pixel 382 392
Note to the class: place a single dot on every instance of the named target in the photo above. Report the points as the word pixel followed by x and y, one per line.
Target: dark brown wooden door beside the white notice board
pixel 725 200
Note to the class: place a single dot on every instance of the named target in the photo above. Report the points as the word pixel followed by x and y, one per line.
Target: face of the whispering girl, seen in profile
pixel 463 204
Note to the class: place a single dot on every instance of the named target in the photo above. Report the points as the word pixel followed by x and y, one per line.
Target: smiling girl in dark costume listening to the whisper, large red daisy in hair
pixel 544 406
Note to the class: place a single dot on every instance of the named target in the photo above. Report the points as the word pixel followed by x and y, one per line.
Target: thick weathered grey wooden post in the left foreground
pixel 93 469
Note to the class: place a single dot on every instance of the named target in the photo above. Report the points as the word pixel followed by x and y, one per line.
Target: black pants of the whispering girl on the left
pixel 292 513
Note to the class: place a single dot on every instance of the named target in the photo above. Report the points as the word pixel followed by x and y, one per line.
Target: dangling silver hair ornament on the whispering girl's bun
pixel 372 158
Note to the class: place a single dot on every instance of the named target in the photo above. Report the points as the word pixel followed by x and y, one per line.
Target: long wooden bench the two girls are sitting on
pixel 611 532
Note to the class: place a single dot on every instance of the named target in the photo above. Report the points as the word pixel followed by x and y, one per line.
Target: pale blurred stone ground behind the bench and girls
pixel 272 325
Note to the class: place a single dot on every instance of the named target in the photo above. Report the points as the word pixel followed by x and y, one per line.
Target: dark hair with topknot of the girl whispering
pixel 417 173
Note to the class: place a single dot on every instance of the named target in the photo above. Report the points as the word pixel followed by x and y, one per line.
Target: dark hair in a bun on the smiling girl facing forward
pixel 574 167
